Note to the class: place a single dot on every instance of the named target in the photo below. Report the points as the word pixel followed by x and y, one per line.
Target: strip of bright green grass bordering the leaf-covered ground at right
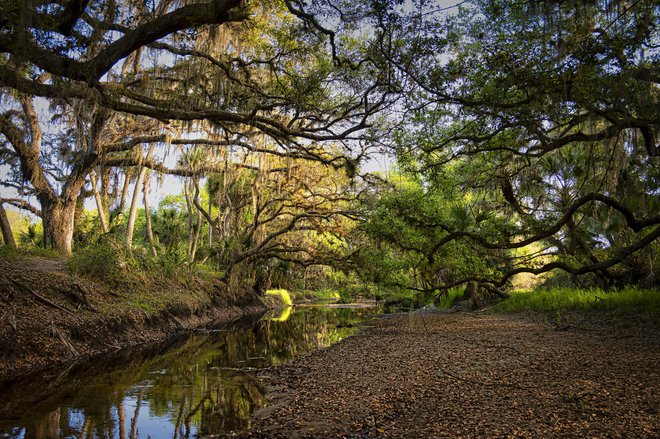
pixel 557 300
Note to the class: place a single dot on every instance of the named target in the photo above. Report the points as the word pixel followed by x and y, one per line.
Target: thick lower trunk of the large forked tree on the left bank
pixel 57 217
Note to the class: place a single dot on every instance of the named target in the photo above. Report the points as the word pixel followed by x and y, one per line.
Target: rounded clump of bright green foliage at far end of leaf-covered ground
pixel 413 239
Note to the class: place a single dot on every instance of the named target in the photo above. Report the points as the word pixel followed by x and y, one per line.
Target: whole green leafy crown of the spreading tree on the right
pixel 516 123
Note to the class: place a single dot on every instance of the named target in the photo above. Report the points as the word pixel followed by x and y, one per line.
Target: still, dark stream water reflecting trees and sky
pixel 203 384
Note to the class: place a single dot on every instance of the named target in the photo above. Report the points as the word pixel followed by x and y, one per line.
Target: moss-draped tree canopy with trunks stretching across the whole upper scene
pixel 523 134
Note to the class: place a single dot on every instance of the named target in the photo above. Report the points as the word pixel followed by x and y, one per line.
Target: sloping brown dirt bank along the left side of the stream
pixel 48 316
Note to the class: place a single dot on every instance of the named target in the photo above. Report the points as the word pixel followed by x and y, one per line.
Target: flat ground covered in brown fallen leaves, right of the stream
pixel 432 374
